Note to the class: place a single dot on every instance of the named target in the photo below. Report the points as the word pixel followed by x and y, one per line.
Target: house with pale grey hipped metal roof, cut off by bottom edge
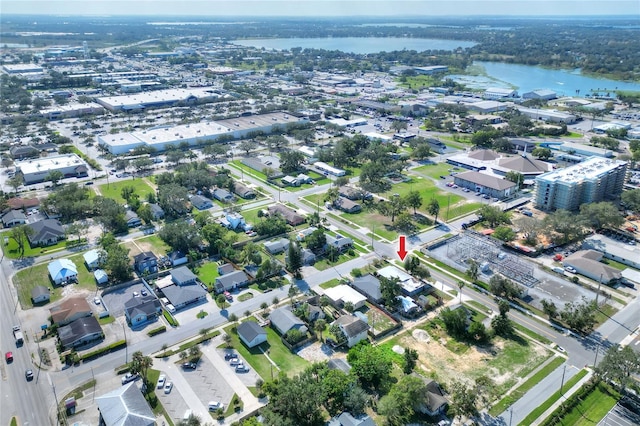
pixel 125 406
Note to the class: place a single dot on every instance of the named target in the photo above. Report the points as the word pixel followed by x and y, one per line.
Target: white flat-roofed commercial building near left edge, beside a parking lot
pixel 38 170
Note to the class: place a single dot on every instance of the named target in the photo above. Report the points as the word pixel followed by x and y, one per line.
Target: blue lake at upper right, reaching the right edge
pixel 526 78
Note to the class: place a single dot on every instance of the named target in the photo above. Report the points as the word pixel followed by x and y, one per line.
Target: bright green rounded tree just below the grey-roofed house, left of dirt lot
pixel 370 364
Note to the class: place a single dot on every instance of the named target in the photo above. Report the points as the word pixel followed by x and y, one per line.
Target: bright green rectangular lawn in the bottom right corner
pixel 593 408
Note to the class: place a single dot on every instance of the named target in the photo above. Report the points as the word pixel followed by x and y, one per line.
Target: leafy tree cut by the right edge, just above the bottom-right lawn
pixel 619 366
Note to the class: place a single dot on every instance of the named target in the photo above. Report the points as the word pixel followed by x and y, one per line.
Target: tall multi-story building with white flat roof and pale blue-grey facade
pixel 593 180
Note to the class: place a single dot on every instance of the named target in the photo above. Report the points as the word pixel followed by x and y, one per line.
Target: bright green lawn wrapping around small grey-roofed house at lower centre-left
pixel 288 362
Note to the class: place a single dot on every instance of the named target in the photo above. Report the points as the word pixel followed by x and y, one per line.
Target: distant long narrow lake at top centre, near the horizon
pixel 360 45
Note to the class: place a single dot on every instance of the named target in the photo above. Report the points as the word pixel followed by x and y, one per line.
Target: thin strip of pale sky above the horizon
pixel 331 8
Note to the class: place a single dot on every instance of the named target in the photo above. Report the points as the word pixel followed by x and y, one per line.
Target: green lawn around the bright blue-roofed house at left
pixel 29 278
